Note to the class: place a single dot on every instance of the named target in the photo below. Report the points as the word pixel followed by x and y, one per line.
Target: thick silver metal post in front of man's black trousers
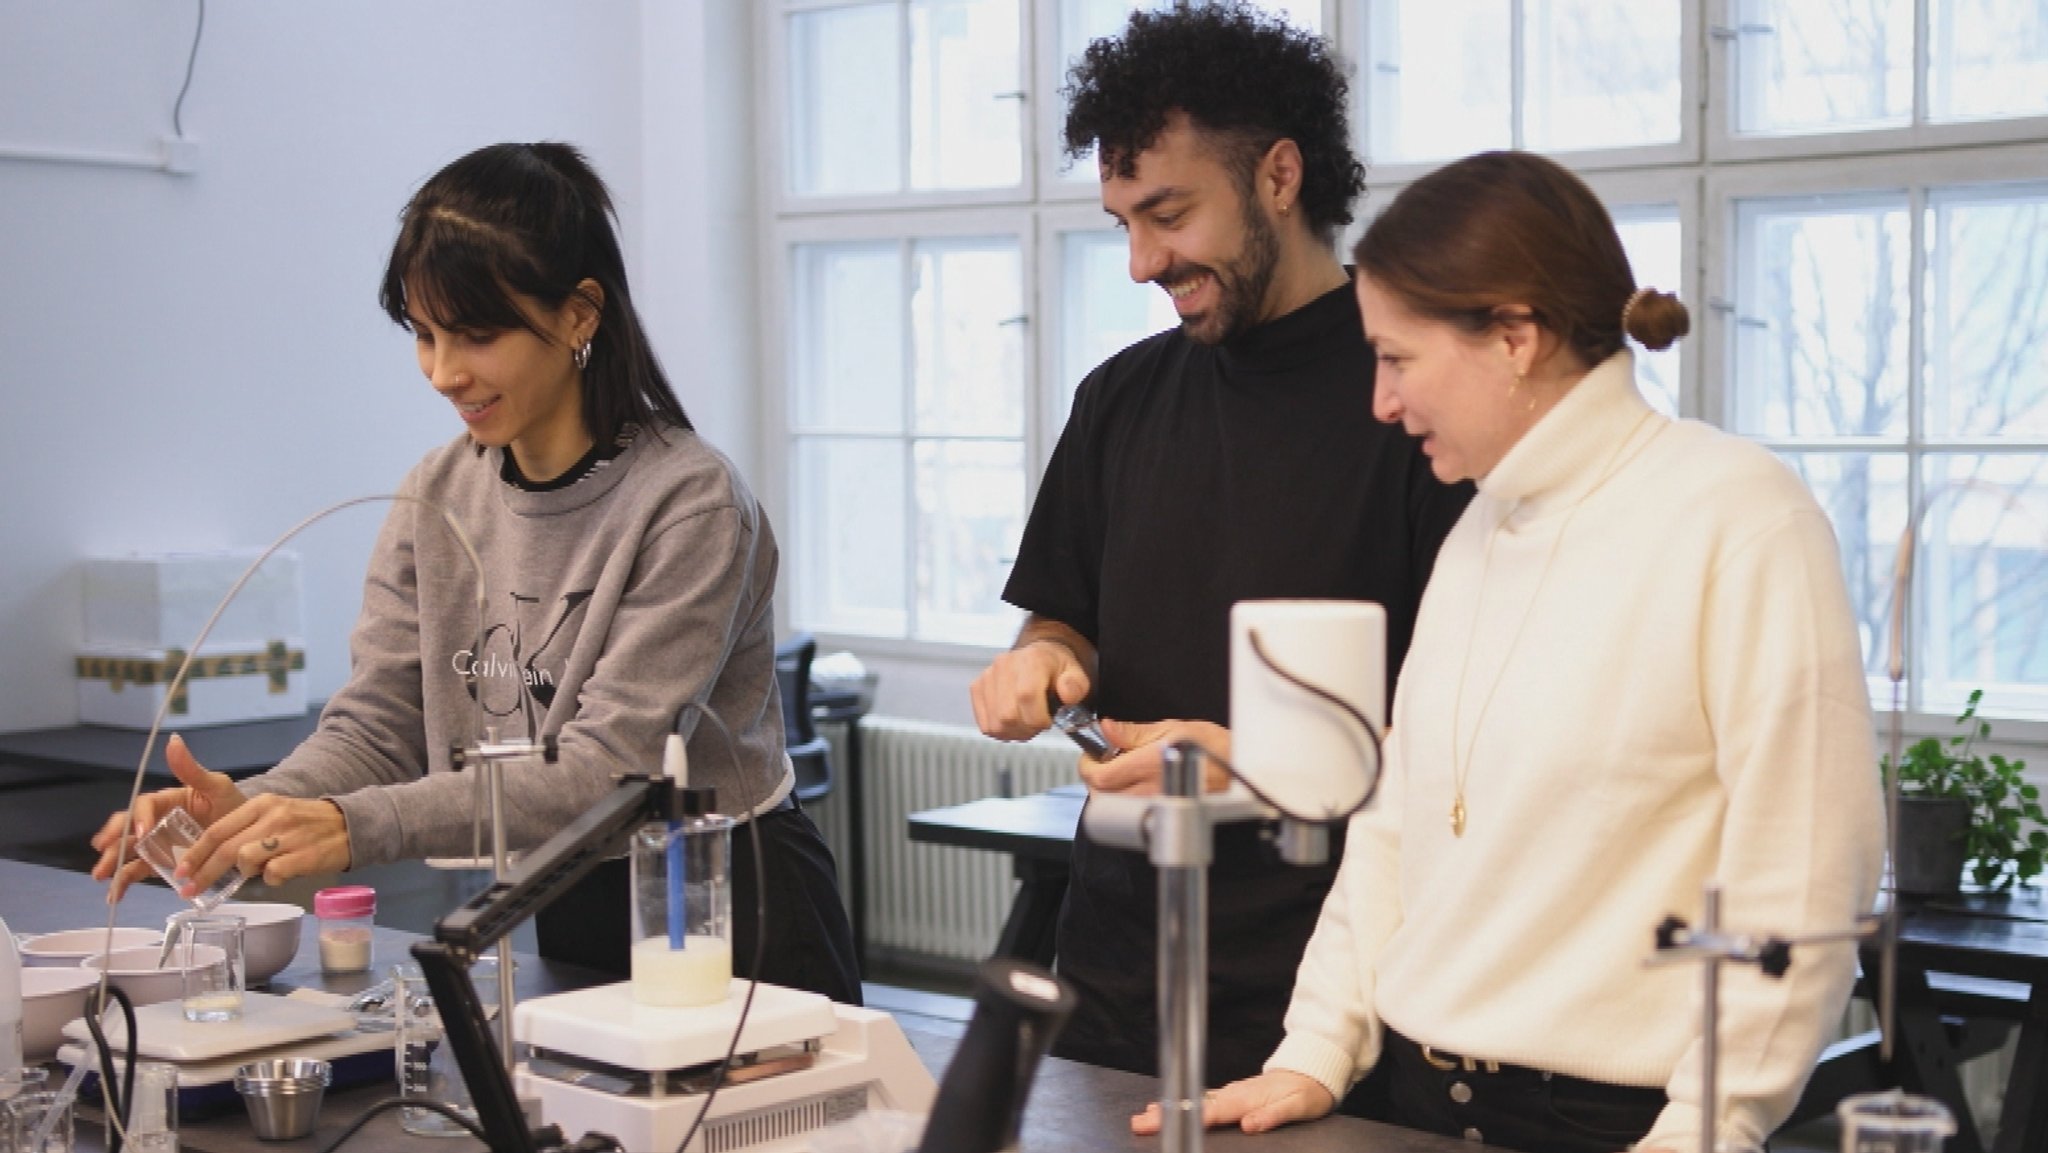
pixel 1183 951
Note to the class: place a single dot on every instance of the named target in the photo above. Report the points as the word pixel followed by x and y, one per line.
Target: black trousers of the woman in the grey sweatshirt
pixel 810 941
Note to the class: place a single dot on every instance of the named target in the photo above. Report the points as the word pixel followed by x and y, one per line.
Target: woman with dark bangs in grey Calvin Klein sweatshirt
pixel 630 583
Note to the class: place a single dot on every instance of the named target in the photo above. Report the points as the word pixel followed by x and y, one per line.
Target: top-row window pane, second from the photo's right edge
pixel 1805 67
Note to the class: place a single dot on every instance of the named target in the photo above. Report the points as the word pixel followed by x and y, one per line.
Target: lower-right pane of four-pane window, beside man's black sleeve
pixel 970 521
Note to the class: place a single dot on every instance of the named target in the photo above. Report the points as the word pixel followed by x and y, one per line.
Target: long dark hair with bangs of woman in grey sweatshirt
pixel 529 220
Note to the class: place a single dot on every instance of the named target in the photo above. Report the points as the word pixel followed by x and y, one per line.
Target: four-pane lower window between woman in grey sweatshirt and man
pixel 908 435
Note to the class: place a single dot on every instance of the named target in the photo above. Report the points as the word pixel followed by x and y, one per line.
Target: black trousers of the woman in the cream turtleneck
pixel 1514 1107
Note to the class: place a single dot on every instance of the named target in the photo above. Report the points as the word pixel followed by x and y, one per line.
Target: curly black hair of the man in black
pixel 1248 81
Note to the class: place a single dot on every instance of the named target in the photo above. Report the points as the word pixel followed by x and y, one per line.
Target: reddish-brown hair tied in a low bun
pixel 1512 228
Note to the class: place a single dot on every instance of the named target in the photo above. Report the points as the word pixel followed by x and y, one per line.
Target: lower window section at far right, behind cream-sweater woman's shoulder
pixel 1891 345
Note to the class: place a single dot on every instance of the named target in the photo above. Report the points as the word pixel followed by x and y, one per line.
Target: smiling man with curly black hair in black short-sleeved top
pixel 1228 460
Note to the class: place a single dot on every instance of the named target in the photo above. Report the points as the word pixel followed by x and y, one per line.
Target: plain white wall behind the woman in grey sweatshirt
pixel 198 361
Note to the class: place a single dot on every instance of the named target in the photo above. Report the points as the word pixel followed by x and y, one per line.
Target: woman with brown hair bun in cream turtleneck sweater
pixel 1635 671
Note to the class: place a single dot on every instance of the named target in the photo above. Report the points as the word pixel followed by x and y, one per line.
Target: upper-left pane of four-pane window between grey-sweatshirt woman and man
pixel 849 337
